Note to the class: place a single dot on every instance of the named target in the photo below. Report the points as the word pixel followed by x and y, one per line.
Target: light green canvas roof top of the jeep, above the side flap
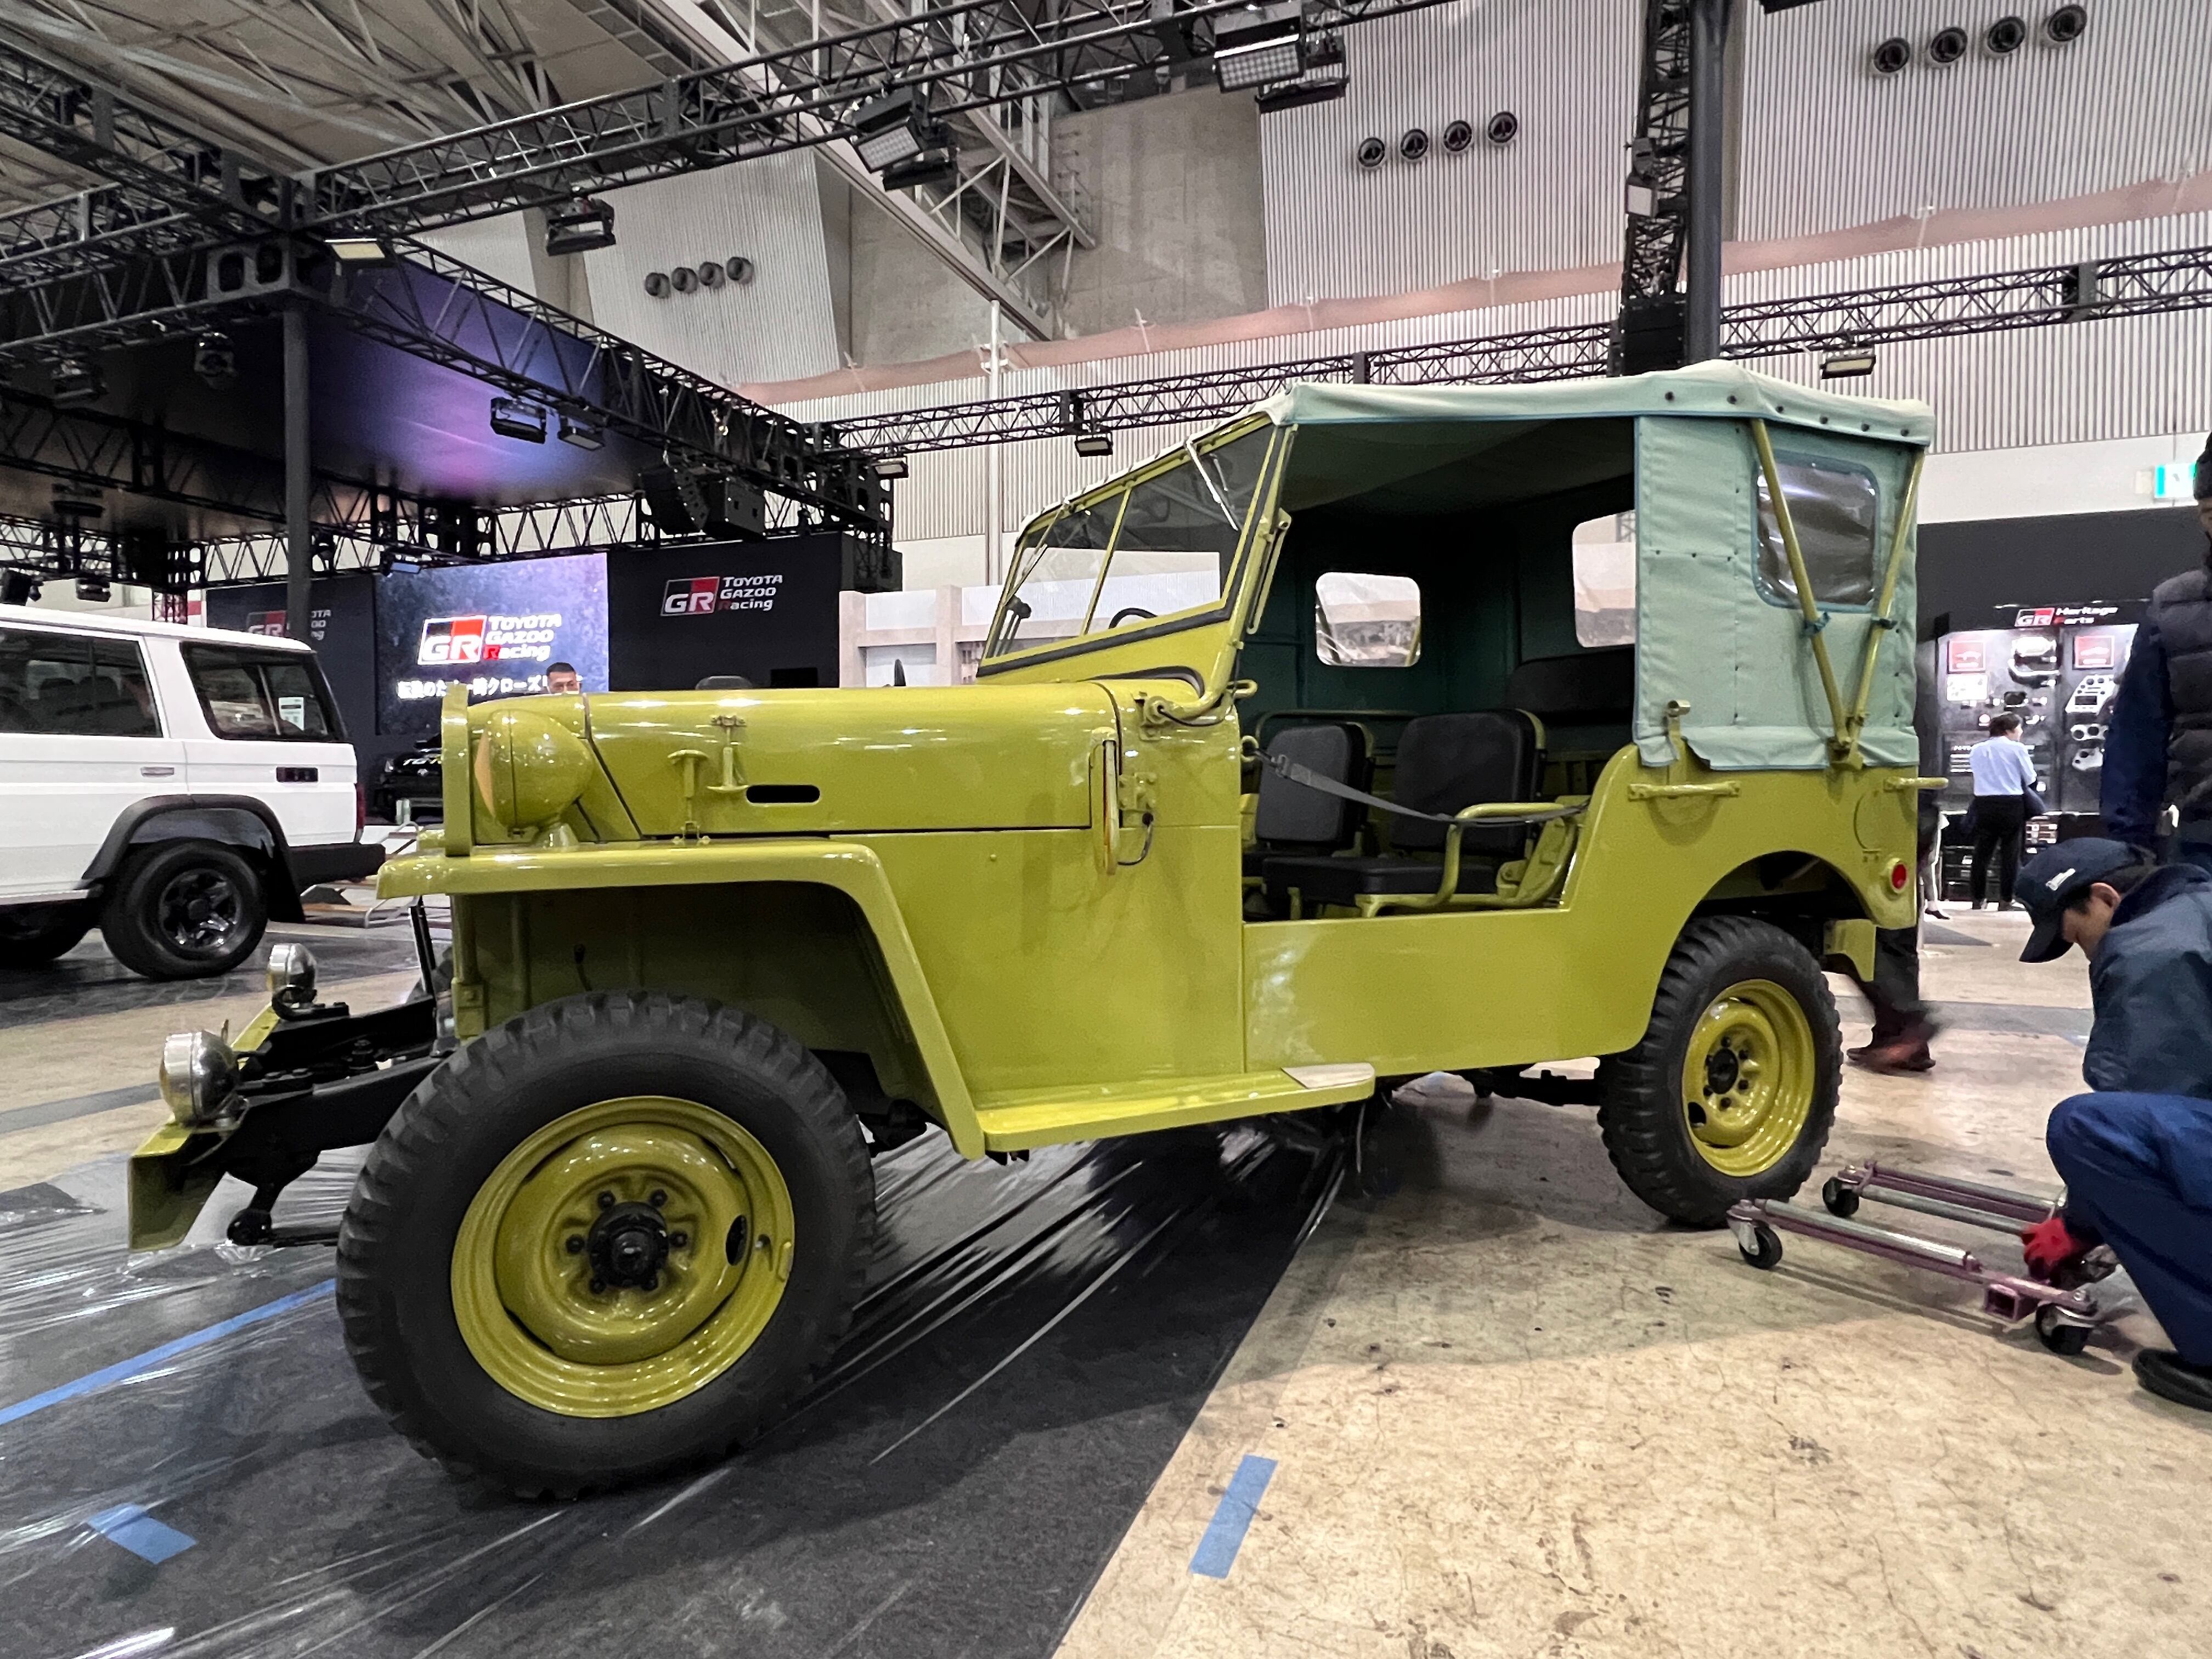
pixel 1718 390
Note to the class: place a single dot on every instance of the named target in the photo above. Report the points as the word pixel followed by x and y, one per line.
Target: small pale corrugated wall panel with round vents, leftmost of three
pixel 769 211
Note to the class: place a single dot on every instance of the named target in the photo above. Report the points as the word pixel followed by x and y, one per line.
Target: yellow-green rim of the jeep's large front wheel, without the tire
pixel 623 1258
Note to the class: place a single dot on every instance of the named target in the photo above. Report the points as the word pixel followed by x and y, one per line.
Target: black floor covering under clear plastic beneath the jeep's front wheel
pixel 1030 1355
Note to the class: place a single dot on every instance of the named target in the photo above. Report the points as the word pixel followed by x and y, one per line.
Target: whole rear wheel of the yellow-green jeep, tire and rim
pixel 1733 1089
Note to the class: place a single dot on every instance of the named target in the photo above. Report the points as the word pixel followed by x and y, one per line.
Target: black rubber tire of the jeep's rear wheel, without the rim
pixel 1645 1116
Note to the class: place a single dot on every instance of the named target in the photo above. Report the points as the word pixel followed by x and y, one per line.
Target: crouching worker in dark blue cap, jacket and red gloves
pixel 2138 1151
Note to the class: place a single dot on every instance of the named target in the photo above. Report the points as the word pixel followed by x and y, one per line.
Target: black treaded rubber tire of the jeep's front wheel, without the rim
pixel 424 1173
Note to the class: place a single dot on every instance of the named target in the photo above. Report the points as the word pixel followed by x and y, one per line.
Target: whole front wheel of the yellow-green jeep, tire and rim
pixel 609 1240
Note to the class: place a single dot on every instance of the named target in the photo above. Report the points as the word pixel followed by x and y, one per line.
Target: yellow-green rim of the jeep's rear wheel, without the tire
pixel 1749 1078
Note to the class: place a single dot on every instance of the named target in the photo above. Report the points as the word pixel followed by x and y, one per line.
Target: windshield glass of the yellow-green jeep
pixel 1154 550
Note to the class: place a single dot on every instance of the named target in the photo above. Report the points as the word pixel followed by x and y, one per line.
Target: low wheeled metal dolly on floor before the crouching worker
pixel 2065 1315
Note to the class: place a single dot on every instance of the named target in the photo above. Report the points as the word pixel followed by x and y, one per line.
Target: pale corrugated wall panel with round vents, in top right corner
pixel 1830 143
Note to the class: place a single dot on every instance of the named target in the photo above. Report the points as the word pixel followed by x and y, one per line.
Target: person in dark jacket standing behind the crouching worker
pixel 2158 744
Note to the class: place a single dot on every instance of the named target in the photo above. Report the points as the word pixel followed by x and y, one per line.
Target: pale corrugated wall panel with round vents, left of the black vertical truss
pixel 1545 202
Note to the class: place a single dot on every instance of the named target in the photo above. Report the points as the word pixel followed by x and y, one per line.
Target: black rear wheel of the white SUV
pixel 185 910
